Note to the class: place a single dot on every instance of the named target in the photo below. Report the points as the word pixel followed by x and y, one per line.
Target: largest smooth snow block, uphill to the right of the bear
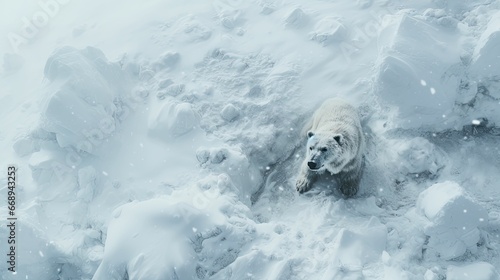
pixel 412 71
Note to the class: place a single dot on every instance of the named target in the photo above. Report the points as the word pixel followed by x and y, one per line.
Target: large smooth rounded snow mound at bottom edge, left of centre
pixel 128 245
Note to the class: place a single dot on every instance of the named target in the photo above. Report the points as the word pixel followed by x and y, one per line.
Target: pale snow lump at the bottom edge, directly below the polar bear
pixel 353 250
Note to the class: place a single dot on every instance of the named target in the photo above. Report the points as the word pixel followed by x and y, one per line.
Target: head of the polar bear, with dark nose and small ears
pixel 325 152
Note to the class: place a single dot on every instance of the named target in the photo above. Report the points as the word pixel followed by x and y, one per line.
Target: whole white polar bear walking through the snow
pixel 335 143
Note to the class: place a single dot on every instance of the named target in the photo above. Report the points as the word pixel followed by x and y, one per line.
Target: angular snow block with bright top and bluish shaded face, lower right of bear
pixel 453 220
